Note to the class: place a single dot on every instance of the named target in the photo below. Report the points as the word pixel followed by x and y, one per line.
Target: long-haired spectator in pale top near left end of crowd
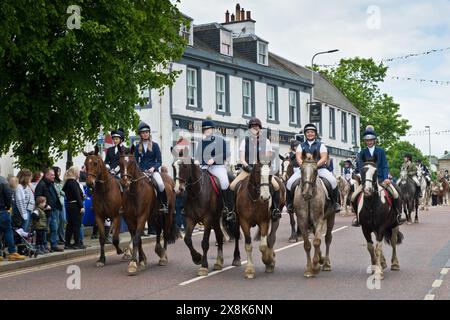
pixel 27 205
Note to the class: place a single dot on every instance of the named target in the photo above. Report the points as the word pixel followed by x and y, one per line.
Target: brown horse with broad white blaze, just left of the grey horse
pixel 253 204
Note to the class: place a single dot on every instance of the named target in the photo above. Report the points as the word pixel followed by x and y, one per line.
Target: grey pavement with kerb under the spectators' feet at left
pixel 93 248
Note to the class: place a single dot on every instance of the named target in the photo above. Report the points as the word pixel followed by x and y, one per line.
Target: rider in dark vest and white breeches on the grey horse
pixel 312 144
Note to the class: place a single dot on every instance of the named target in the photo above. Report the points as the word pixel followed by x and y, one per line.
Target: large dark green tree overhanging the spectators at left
pixel 59 86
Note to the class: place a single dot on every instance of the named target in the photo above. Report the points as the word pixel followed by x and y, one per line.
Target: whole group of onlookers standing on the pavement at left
pixel 43 209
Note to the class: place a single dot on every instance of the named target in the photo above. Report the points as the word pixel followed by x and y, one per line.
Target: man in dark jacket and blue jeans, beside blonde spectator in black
pixel 46 188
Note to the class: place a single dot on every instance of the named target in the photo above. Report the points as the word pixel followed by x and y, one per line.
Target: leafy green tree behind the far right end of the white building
pixel 358 80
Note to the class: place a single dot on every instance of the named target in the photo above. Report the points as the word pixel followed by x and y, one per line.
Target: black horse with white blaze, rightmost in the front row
pixel 378 216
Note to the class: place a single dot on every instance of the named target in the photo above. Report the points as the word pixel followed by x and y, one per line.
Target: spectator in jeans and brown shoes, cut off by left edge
pixel 5 220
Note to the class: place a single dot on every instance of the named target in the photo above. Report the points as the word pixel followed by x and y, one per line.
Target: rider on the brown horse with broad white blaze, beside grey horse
pixel 252 148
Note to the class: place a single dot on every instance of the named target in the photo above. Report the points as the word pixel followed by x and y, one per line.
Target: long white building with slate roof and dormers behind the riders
pixel 229 74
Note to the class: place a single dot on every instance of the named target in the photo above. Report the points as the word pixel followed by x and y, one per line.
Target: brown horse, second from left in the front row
pixel 139 203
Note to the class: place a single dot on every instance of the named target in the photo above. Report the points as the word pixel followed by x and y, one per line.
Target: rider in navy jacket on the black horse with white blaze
pixel 377 154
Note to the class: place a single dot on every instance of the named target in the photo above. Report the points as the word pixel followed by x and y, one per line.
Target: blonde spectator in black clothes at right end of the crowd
pixel 75 208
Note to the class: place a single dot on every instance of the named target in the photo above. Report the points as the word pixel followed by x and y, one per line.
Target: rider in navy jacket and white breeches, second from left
pixel 148 156
